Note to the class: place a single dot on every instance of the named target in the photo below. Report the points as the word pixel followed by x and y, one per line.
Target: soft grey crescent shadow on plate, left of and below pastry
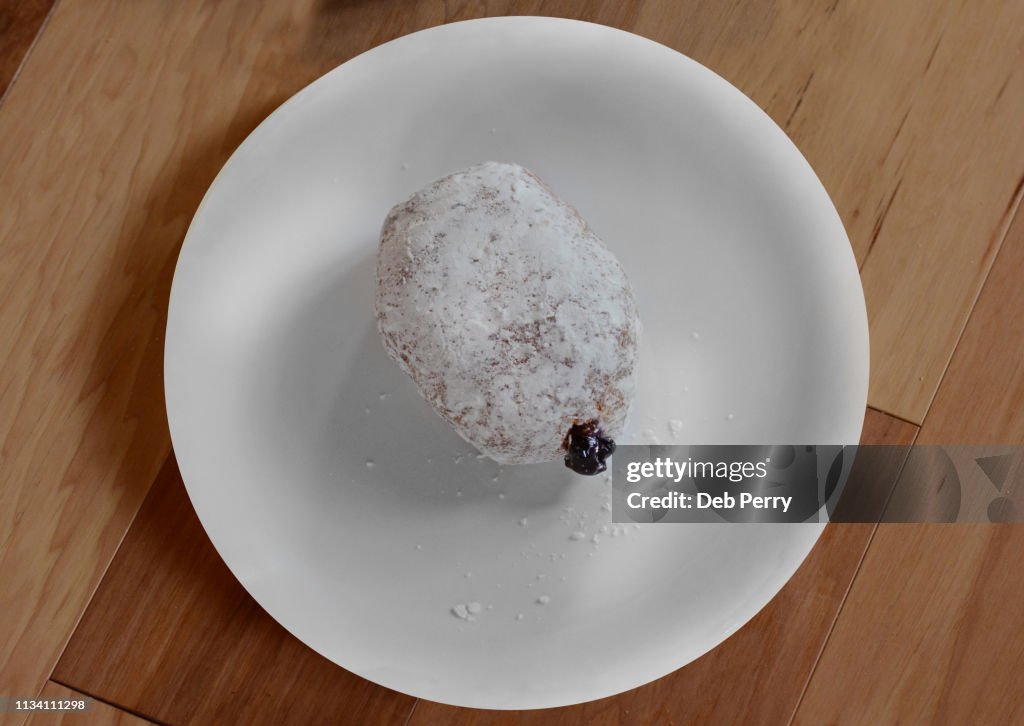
pixel 345 412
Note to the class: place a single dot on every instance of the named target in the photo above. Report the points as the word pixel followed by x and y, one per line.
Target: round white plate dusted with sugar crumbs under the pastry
pixel 353 514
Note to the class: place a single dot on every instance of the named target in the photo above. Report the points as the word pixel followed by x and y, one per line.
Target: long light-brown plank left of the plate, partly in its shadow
pixel 108 143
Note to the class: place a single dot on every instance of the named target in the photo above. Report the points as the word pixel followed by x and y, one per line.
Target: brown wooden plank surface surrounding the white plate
pixel 116 118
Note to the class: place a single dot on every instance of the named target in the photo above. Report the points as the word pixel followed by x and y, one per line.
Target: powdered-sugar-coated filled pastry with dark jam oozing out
pixel 513 318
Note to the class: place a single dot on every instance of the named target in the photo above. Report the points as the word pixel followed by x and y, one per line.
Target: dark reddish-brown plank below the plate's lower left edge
pixel 173 635
